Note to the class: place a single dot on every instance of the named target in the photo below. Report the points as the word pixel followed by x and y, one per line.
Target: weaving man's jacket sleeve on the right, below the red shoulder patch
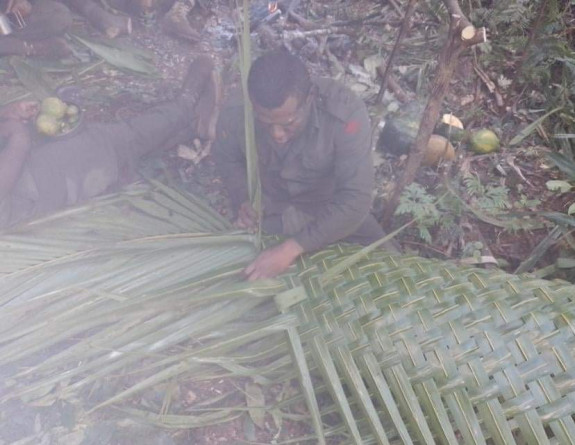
pixel 354 174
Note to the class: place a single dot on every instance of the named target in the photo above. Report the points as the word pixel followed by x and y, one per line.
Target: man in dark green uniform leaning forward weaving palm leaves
pixel 316 170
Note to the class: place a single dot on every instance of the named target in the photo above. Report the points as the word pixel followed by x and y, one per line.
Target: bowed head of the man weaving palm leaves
pixel 279 86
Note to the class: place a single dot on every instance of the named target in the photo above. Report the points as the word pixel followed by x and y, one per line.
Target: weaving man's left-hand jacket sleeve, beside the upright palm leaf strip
pixel 229 155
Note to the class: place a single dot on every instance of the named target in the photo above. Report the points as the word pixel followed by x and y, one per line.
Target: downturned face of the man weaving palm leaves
pixel 285 122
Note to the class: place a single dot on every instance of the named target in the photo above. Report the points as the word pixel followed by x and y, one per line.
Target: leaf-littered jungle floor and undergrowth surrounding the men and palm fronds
pixel 511 209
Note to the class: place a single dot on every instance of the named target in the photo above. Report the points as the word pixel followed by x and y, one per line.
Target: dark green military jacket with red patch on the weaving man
pixel 326 172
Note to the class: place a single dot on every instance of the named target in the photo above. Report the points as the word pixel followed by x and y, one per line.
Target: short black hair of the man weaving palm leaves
pixel 275 76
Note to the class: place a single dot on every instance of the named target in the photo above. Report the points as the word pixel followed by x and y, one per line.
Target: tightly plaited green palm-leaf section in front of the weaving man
pixel 430 352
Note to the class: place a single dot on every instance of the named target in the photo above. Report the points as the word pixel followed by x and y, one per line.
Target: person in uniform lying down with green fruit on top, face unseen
pixel 101 156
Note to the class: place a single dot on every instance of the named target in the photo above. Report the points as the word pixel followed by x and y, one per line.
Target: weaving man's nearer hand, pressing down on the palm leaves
pixel 273 261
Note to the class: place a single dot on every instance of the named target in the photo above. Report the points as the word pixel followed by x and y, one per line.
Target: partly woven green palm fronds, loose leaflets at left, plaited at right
pixel 108 305
